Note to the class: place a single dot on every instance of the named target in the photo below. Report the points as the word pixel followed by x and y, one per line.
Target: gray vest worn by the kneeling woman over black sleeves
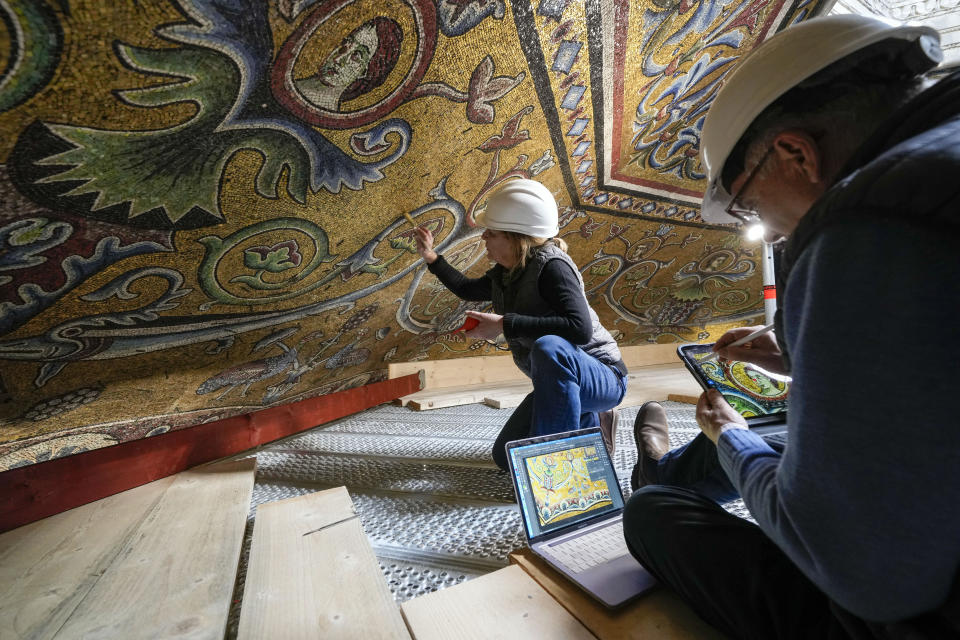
pixel 522 296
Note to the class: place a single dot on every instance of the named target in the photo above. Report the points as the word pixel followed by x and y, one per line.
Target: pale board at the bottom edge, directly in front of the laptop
pixel 504 604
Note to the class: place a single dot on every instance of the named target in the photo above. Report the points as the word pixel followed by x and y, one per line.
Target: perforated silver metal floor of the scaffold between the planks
pixel 436 510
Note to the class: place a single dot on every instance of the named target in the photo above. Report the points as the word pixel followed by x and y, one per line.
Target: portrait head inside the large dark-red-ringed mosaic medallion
pixel 359 64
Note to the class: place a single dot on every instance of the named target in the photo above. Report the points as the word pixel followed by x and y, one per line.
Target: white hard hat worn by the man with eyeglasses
pixel 778 65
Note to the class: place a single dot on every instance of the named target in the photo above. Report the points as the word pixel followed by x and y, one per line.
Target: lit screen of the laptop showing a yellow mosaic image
pixel 564 481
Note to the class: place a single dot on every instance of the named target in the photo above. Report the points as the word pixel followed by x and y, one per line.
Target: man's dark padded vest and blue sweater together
pixel 864 498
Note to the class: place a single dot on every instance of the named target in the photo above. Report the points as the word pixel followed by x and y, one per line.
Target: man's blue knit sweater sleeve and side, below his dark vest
pixel 864 499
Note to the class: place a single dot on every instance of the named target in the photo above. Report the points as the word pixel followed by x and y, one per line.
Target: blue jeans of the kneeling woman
pixel 570 387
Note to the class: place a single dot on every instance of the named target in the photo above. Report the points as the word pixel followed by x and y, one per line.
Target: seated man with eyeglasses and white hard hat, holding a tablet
pixel 831 135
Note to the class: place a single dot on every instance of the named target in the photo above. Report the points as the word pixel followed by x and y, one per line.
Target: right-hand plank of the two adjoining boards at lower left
pixel 175 578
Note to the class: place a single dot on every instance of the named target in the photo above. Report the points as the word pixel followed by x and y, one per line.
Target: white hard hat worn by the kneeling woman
pixel 522 206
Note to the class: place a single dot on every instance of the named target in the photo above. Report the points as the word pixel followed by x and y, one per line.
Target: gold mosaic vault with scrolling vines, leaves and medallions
pixel 201 201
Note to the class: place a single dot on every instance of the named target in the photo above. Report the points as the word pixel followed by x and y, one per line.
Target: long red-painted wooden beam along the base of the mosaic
pixel 40 490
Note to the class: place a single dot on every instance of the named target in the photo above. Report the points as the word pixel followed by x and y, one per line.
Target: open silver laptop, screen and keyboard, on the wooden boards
pixel 572 512
